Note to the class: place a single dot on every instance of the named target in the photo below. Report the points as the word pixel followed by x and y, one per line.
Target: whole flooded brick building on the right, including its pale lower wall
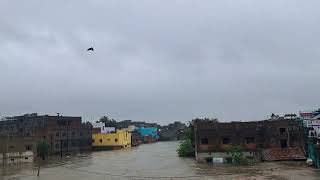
pixel 277 139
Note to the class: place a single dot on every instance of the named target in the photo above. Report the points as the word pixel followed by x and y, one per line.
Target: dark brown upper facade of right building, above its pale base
pixel 252 136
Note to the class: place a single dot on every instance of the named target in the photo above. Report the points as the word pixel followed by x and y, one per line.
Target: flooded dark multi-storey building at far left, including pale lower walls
pixel 65 134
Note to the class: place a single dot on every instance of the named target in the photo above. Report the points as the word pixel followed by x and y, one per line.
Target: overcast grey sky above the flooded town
pixel 159 61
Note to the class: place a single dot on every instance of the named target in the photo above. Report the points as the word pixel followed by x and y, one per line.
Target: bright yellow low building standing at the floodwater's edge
pixel 119 139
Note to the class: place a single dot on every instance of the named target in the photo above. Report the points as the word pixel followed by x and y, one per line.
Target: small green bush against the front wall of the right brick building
pixel 237 156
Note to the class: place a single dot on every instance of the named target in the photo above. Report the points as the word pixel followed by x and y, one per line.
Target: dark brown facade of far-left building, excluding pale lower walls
pixel 65 134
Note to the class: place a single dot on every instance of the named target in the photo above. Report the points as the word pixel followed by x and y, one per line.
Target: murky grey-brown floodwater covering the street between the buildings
pixel 151 161
